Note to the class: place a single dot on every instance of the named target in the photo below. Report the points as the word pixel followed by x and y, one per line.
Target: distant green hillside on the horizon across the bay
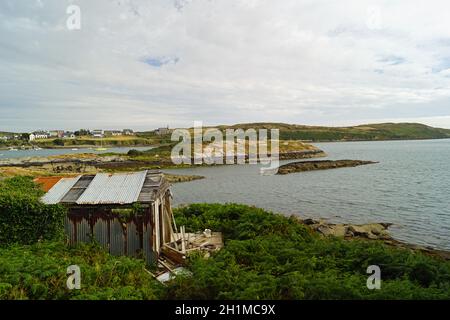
pixel 381 131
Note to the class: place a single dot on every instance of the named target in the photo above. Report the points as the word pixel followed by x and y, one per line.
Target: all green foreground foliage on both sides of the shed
pixel 266 256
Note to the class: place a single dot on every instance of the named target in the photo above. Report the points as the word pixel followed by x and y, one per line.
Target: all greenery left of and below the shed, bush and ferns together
pixel 34 256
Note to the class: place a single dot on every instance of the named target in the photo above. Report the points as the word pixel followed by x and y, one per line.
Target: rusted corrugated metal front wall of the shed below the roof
pixel 133 237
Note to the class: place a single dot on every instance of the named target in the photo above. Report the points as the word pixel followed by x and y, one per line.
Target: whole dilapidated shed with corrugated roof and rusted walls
pixel 126 213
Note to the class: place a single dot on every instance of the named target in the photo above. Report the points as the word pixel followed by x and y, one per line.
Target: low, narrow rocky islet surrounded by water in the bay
pixel 302 166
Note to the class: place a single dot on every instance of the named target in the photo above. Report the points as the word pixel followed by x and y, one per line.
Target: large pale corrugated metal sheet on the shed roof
pixel 113 188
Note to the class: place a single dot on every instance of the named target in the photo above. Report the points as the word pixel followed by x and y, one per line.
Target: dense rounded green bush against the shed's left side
pixel 24 218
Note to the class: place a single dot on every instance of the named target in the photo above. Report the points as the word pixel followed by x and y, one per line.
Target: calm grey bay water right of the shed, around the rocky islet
pixel 409 188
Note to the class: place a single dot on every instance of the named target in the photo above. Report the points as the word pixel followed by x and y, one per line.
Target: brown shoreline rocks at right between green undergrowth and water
pixel 368 231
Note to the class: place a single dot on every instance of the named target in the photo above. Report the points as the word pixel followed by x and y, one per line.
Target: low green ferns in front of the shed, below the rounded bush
pixel 39 272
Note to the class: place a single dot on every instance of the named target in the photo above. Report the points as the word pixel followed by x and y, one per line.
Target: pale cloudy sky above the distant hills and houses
pixel 150 63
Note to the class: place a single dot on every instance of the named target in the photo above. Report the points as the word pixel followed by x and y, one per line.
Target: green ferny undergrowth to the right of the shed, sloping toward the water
pixel 268 256
